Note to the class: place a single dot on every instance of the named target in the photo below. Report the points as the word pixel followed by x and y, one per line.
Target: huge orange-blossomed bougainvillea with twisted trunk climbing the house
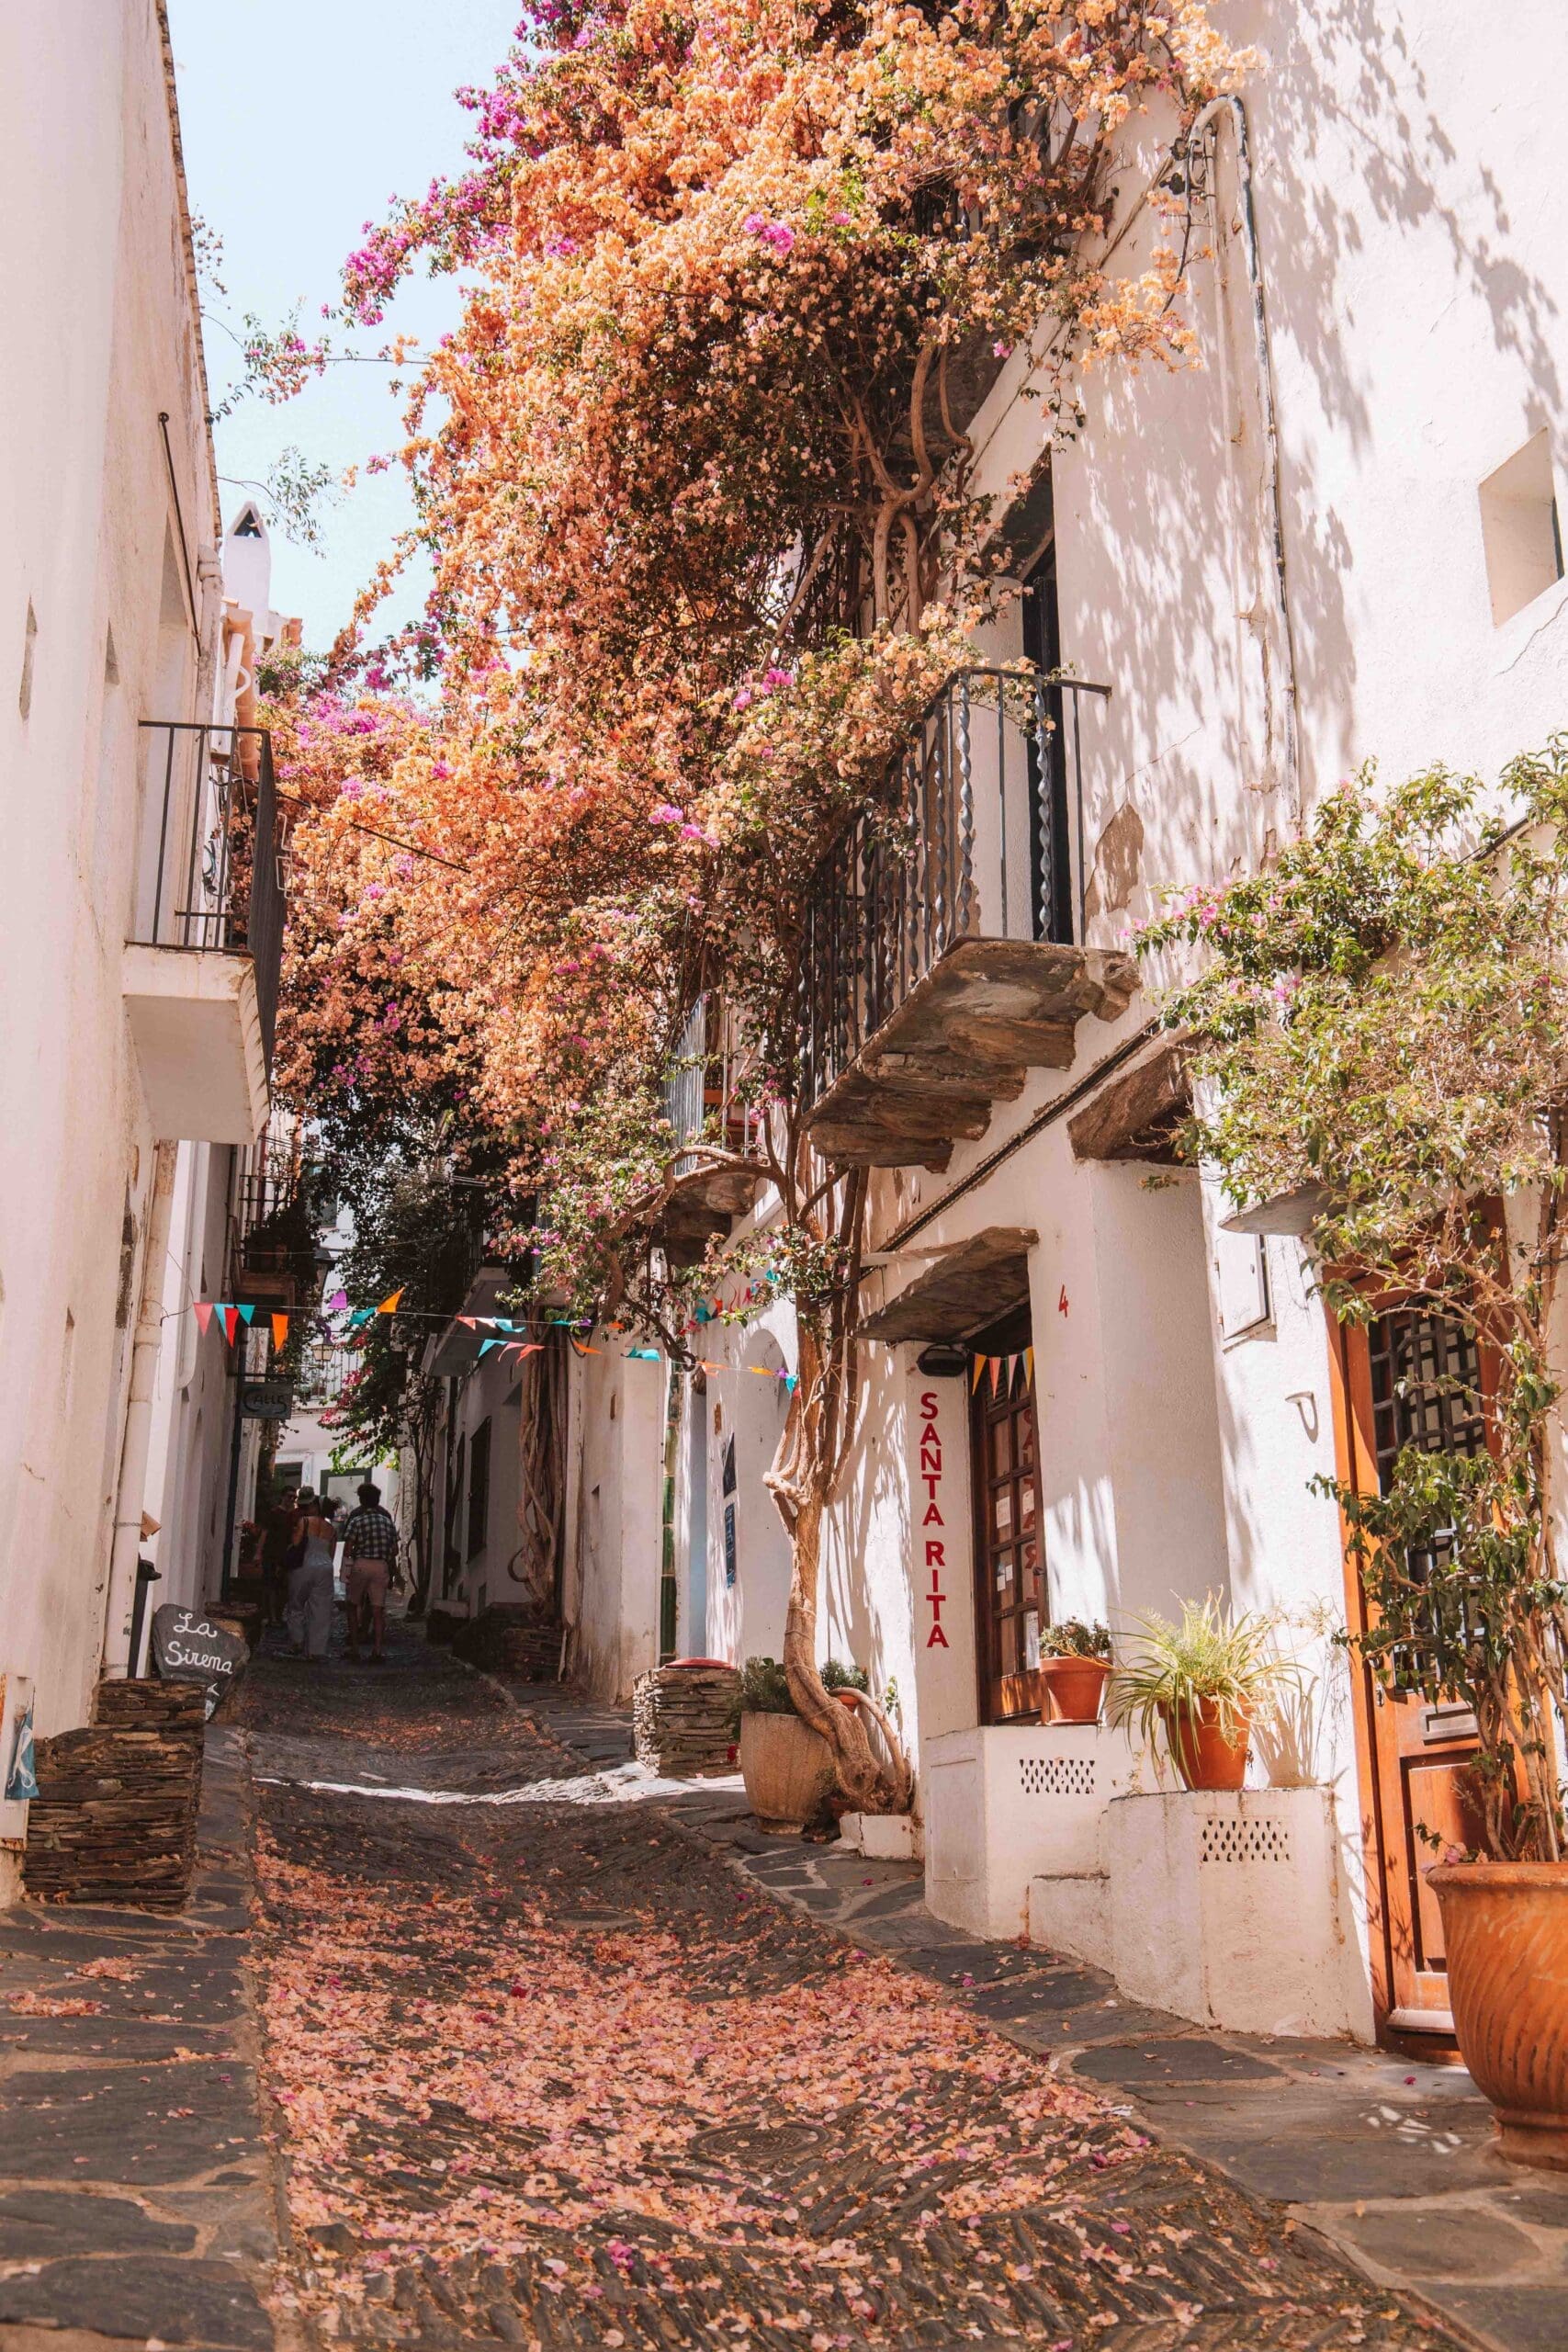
pixel 695 481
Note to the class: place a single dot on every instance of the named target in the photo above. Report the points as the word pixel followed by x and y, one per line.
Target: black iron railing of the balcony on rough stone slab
pixel 979 846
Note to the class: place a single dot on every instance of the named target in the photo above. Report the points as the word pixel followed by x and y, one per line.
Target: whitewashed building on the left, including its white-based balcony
pixel 140 958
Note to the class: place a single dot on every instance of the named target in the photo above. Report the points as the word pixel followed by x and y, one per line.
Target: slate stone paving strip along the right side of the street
pixel 1383 2158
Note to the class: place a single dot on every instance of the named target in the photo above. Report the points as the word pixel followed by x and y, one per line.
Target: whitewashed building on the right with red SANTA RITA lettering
pixel 1334 540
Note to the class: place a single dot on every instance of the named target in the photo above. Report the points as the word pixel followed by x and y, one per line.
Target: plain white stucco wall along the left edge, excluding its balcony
pixel 102 342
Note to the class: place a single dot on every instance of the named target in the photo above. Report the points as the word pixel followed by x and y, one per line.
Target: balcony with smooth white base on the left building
pixel 201 965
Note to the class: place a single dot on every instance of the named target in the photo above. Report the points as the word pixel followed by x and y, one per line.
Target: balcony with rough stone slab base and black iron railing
pixel 942 949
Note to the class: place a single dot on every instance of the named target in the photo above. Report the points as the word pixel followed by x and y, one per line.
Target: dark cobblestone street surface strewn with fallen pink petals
pixel 551 2071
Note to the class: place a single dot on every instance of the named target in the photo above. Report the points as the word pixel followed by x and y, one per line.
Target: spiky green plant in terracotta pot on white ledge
pixel 1202 1681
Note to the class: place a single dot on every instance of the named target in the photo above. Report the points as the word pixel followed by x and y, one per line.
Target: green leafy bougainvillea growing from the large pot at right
pixel 1381 1031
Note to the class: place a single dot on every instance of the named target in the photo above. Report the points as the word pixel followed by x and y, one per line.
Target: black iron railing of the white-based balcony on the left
pixel 213 876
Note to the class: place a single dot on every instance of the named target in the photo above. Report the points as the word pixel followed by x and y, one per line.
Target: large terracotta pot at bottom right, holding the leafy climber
pixel 1506 1932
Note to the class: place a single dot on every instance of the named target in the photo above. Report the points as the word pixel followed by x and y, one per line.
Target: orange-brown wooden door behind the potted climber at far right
pixel 1407 1379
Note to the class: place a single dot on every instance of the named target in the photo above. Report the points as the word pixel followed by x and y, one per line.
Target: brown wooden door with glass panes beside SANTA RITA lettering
pixel 1010 1568
